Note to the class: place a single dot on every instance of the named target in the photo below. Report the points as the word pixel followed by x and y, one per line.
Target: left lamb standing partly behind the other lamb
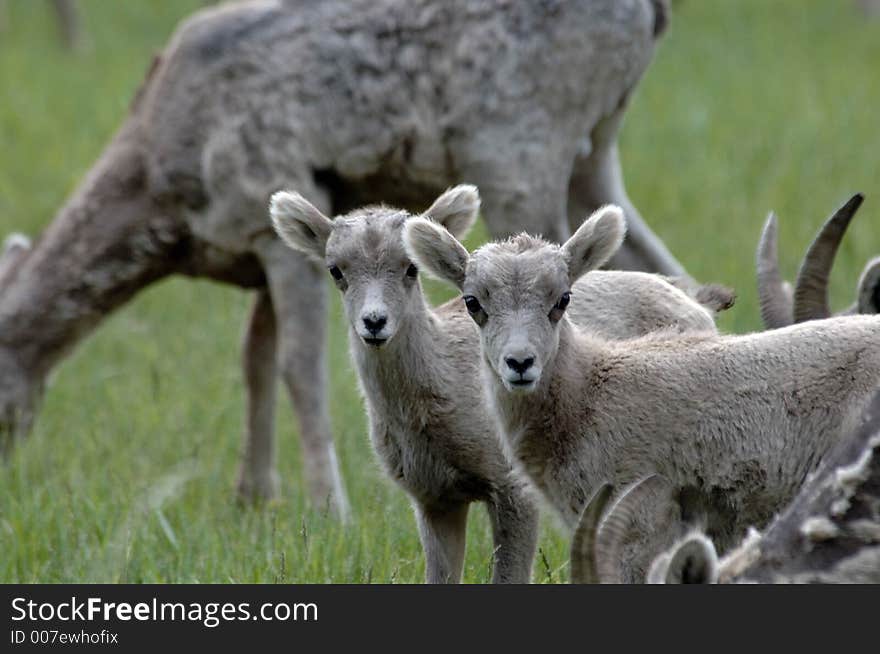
pixel 420 376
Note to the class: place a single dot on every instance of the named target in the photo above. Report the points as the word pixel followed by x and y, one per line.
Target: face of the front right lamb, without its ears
pixel 517 292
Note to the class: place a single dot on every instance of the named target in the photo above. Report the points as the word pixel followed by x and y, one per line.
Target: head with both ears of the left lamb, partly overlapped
pixel 364 253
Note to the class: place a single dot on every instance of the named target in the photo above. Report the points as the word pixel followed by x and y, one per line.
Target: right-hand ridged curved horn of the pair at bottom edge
pixel 618 523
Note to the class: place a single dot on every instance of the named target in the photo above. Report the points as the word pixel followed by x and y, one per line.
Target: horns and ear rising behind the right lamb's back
pixel 780 306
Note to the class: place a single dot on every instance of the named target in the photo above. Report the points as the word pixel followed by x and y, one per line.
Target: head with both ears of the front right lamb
pixel 517 290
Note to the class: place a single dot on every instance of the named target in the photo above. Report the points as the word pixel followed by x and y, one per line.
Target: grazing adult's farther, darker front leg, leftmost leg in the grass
pixel 257 479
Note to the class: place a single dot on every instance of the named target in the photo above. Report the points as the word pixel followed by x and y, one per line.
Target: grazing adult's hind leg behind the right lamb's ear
pixel 597 179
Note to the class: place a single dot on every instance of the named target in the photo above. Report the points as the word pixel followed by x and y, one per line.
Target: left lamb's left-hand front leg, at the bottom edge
pixel 443 532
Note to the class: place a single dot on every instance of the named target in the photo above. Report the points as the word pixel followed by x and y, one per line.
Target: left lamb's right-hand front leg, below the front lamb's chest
pixel 514 519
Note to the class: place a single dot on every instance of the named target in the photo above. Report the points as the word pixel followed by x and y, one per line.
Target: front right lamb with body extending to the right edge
pixel 734 422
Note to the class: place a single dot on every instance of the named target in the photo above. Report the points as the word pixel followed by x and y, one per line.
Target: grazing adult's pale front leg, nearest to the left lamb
pixel 298 294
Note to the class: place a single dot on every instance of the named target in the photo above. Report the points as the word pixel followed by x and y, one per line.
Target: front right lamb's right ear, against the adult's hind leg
pixel 595 241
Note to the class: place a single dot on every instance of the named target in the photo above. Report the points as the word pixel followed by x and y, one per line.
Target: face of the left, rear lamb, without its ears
pixel 378 281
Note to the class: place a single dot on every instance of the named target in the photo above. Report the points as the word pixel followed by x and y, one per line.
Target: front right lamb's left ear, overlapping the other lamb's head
pixel 435 250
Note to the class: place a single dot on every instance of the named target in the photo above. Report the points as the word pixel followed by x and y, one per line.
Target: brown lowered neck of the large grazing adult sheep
pixel 108 241
